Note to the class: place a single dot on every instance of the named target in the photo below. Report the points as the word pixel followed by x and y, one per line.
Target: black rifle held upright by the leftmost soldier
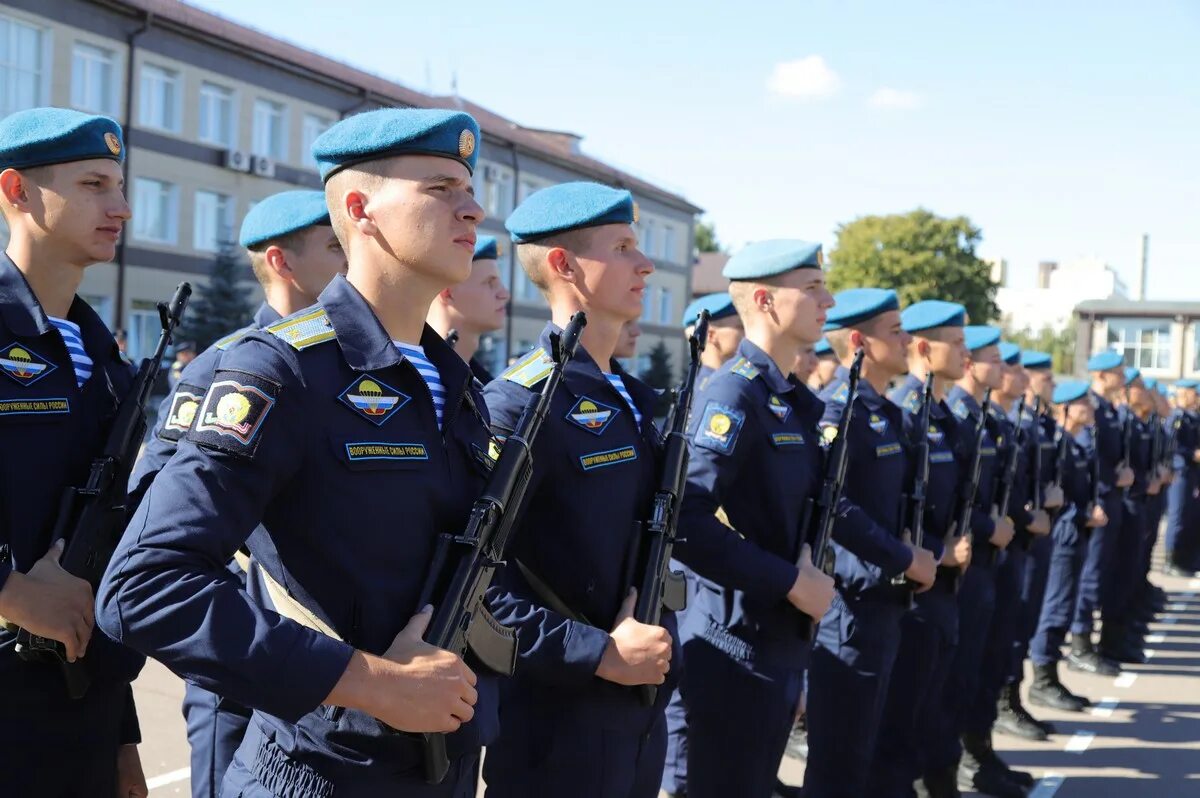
pixel 93 518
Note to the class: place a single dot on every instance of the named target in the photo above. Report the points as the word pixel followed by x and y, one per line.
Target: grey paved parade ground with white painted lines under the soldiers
pixel 1142 739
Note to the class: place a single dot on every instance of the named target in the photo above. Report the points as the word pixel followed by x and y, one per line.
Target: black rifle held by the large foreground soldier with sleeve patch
pixel 465 565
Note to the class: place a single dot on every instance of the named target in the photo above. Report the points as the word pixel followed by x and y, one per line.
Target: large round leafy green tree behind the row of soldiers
pixel 921 256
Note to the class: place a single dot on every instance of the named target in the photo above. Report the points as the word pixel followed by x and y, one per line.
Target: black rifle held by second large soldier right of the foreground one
pixel 662 587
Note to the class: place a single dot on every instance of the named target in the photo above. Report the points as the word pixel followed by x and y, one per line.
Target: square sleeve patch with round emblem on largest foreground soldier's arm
pixel 232 415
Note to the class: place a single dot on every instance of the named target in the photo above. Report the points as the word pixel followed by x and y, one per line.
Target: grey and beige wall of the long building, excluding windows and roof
pixel 179 157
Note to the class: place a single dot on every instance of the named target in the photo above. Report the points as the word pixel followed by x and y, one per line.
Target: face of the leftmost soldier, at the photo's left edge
pixel 82 207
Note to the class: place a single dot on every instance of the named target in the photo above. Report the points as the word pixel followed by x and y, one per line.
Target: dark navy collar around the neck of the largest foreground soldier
pixel 367 346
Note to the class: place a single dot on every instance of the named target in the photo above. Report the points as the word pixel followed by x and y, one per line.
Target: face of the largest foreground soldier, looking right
pixel 427 214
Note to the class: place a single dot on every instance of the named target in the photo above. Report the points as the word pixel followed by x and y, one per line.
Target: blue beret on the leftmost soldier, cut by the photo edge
pixel 41 137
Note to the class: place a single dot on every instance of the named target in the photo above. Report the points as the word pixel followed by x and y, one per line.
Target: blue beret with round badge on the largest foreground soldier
pixel 388 133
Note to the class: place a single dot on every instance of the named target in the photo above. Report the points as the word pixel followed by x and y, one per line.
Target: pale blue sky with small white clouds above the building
pixel 1061 129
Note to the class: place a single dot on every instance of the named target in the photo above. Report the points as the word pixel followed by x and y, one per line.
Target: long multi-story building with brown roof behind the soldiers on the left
pixel 219 116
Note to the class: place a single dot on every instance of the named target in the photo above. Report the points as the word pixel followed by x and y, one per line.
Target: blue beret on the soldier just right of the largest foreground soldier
pixel 571 207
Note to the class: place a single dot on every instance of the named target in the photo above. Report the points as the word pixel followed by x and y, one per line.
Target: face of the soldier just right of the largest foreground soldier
pixel 614 272
